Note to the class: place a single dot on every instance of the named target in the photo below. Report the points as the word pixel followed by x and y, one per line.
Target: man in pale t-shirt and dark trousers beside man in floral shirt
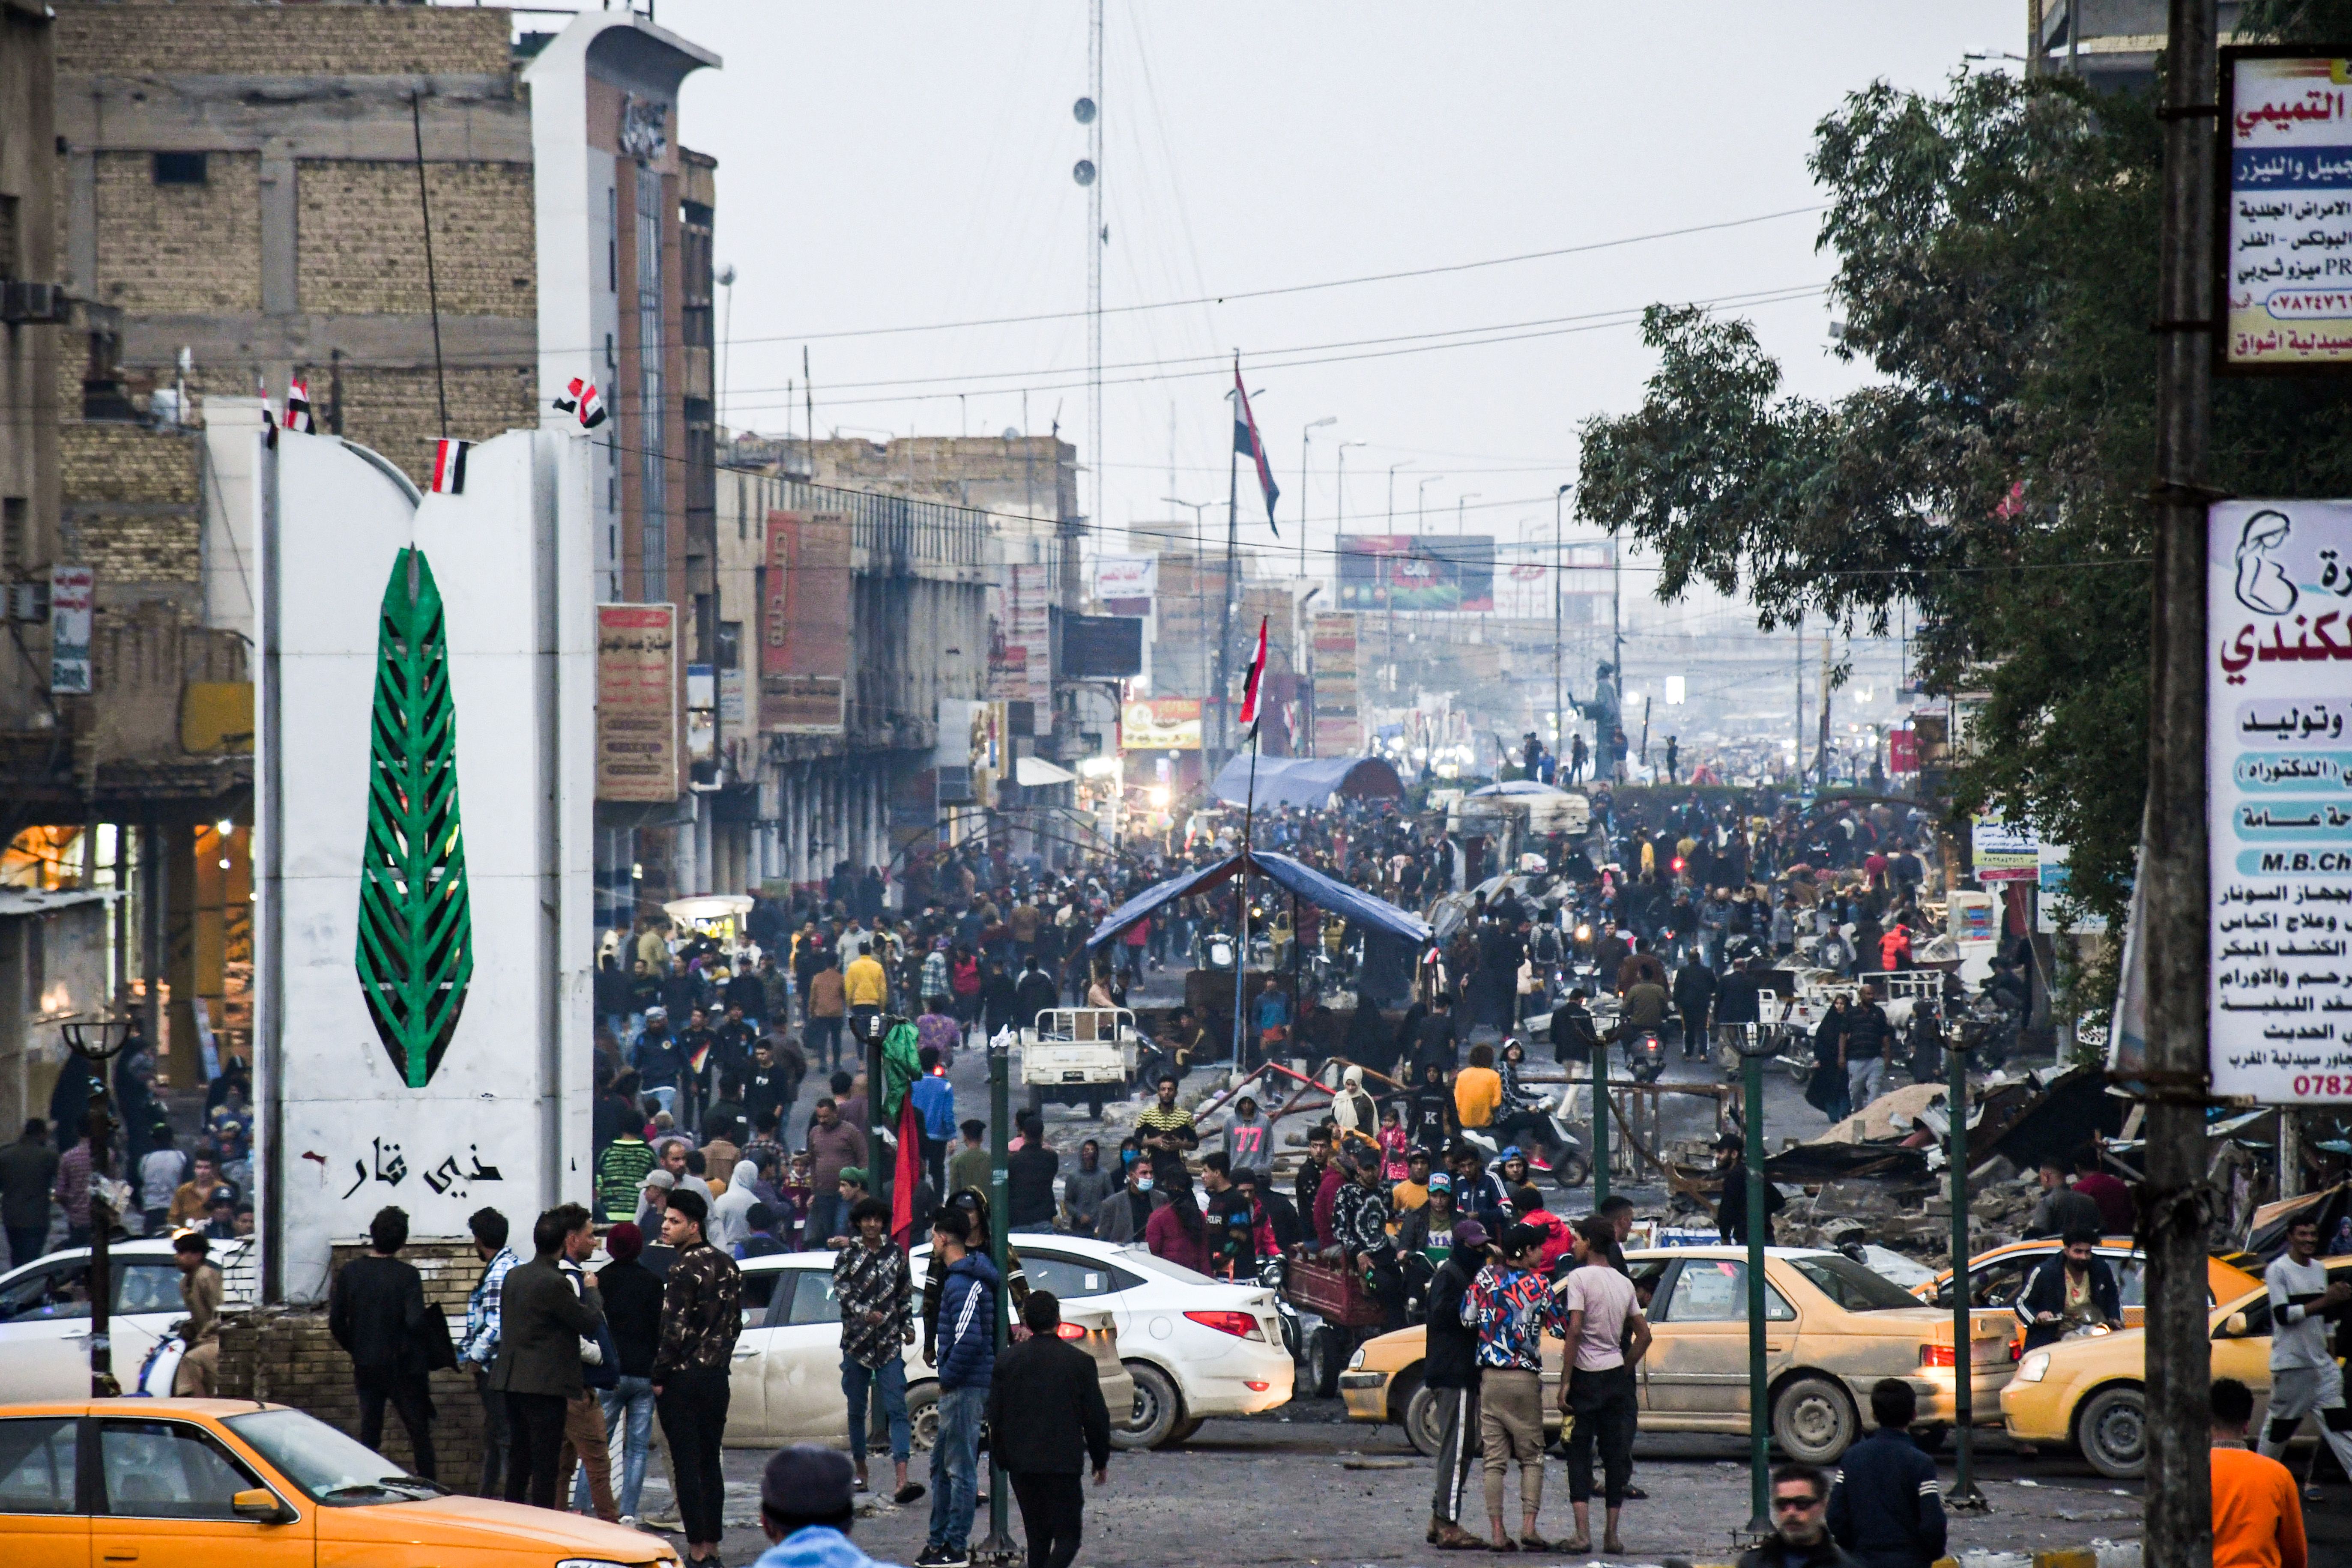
pixel 1601 1386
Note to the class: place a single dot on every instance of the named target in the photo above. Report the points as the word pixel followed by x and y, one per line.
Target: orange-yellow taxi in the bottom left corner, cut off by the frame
pixel 211 1482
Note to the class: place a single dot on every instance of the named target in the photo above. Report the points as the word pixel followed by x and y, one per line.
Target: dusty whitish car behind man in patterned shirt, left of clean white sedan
pixel 784 1383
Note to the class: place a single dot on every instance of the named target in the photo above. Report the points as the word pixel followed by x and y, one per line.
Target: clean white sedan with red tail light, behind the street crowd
pixel 1196 1346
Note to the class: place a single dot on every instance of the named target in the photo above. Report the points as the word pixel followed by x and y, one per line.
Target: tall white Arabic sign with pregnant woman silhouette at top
pixel 2280 798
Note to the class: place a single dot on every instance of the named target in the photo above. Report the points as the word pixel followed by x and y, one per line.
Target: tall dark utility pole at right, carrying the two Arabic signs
pixel 2179 1517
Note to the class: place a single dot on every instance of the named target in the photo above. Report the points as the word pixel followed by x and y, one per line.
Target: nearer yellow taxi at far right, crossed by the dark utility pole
pixel 2092 1391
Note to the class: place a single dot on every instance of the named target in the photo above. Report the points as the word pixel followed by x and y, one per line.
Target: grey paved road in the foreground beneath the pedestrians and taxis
pixel 1307 1487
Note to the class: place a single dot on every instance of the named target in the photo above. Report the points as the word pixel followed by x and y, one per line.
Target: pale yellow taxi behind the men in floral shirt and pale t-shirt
pixel 1831 1329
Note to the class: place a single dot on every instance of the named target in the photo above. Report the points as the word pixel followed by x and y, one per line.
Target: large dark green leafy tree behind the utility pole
pixel 1998 267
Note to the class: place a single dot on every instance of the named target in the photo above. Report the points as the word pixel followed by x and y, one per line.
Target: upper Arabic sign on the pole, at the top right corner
pixel 2285 243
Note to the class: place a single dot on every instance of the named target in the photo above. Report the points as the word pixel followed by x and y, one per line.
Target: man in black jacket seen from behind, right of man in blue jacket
pixel 1062 1428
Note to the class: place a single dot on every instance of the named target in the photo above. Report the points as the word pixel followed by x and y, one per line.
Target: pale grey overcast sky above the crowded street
pixel 907 166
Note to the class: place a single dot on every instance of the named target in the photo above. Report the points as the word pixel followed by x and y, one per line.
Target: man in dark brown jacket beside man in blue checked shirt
pixel 540 1353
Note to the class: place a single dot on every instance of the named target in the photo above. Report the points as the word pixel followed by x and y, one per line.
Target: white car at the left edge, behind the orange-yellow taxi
pixel 46 1313
